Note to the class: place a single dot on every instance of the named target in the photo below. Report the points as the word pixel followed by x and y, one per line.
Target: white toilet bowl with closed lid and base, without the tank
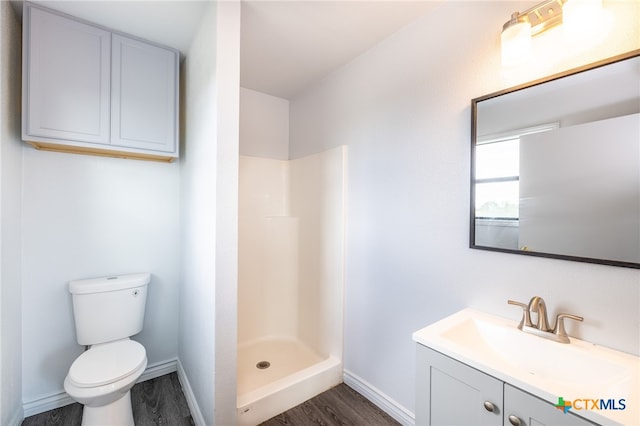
pixel 101 379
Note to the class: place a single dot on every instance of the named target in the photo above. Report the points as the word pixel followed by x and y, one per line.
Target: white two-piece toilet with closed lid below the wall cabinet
pixel 107 311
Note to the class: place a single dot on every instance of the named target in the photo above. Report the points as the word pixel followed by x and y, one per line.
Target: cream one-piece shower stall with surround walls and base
pixel 290 281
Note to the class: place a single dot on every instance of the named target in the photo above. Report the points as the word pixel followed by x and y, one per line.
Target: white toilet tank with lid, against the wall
pixel 109 308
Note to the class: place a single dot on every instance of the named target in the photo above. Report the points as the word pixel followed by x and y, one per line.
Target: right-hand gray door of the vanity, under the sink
pixel 523 409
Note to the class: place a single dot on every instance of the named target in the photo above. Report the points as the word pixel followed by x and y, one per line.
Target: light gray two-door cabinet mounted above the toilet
pixel 89 90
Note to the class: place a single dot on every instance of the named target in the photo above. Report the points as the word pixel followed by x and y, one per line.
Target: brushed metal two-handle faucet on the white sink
pixel 541 327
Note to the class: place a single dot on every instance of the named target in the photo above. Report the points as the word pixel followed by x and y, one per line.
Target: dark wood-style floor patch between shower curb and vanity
pixel 339 406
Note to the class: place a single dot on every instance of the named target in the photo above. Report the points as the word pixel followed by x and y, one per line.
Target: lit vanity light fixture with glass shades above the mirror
pixel 579 15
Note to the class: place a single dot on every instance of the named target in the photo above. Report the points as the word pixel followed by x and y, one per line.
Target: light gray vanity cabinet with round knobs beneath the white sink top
pixel 452 393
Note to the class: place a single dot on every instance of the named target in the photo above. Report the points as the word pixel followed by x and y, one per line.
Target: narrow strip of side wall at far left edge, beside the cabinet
pixel 10 212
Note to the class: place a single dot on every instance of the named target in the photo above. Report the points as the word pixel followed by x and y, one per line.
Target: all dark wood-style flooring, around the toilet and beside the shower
pixel 160 401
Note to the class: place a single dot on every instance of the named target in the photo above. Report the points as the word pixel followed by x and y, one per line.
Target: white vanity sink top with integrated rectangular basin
pixel 545 368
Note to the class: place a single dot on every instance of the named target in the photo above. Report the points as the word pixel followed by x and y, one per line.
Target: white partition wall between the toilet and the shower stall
pixel 209 207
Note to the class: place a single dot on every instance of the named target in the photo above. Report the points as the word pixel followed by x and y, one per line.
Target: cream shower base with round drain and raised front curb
pixel 295 373
